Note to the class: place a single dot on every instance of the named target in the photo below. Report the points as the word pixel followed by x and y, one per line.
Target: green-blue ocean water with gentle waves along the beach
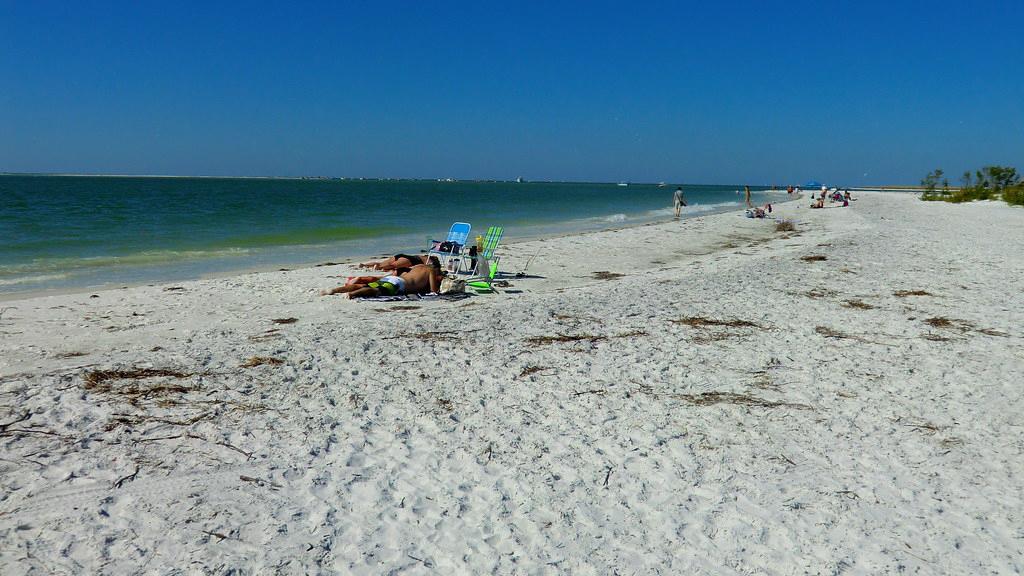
pixel 78 232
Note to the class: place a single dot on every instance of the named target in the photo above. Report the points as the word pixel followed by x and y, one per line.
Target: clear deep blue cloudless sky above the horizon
pixel 844 93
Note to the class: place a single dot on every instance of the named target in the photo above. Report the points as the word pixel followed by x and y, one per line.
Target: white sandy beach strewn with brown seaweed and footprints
pixel 845 399
